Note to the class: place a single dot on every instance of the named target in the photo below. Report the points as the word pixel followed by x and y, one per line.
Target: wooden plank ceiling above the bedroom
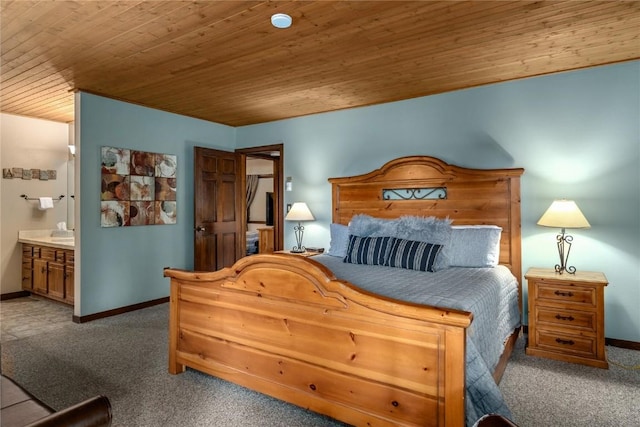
pixel 223 61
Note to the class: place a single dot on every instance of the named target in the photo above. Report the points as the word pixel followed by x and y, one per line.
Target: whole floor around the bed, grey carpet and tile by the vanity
pixel 125 358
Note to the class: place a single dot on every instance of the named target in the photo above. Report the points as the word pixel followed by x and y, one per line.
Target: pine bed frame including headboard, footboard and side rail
pixel 283 325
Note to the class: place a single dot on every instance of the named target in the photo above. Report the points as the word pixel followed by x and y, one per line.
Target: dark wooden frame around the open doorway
pixel 267 152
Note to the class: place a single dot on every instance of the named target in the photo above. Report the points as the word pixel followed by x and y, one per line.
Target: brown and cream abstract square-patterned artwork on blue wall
pixel 137 188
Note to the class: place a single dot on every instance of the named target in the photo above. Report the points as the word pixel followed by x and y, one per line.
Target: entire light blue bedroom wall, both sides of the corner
pixel 576 134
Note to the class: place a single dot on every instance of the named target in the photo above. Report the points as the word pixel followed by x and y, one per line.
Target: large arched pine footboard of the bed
pixel 285 326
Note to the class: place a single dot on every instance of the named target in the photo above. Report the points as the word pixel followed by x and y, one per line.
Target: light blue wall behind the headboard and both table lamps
pixel 577 135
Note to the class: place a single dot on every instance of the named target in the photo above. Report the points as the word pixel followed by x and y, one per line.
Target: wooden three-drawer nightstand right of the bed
pixel 566 316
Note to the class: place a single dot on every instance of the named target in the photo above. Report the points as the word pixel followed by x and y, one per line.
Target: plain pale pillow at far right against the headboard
pixel 474 246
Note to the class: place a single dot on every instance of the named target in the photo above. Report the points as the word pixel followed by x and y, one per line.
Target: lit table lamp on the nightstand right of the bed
pixel 564 214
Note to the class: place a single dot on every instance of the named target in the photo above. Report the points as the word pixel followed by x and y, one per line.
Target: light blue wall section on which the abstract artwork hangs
pixel 123 266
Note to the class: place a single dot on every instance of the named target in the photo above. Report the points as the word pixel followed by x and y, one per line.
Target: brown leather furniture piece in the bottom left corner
pixel 21 409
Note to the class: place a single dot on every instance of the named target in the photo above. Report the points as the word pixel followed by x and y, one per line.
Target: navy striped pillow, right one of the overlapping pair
pixel 413 255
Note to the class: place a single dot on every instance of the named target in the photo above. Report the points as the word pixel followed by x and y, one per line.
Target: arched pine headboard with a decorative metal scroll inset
pixel 470 196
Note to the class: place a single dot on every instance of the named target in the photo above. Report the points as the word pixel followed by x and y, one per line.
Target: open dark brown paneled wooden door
pixel 219 237
